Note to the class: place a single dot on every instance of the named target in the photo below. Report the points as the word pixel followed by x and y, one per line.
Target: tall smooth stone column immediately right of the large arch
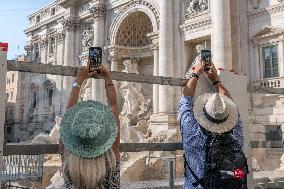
pixel 166 67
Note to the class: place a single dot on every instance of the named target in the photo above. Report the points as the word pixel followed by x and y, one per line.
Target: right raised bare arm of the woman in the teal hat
pixel 112 102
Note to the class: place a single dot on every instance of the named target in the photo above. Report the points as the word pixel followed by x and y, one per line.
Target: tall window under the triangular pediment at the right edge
pixel 270 61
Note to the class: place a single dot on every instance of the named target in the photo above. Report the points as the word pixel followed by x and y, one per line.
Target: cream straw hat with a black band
pixel 215 112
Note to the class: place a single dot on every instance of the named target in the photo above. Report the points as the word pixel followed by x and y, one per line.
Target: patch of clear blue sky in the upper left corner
pixel 13 22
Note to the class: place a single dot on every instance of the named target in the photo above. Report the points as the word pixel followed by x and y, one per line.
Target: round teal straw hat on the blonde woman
pixel 88 129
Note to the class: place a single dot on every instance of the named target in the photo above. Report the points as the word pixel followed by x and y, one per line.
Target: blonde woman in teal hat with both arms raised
pixel 89 132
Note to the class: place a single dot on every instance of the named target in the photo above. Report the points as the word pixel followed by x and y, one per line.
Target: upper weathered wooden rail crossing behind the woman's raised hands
pixel 71 71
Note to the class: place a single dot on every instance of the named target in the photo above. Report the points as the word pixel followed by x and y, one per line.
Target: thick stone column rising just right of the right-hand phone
pixel 221 34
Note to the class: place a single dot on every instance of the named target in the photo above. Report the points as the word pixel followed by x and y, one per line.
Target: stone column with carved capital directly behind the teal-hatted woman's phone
pixel 98 12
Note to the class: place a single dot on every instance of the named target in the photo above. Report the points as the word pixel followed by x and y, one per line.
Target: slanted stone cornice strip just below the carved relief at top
pixel 197 26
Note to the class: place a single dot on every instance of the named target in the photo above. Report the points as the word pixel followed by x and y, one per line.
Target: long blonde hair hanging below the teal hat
pixel 88 173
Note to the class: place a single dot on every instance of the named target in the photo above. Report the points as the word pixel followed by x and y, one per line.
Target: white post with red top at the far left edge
pixel 3 72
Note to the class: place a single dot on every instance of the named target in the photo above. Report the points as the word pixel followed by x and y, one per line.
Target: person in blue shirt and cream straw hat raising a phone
pixel 211 113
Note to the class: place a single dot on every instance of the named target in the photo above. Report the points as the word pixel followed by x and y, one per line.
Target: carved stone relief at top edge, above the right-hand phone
pixel 194 7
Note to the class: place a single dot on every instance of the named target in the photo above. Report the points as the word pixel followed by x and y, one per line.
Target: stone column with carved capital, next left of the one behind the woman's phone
pixel 69 25
